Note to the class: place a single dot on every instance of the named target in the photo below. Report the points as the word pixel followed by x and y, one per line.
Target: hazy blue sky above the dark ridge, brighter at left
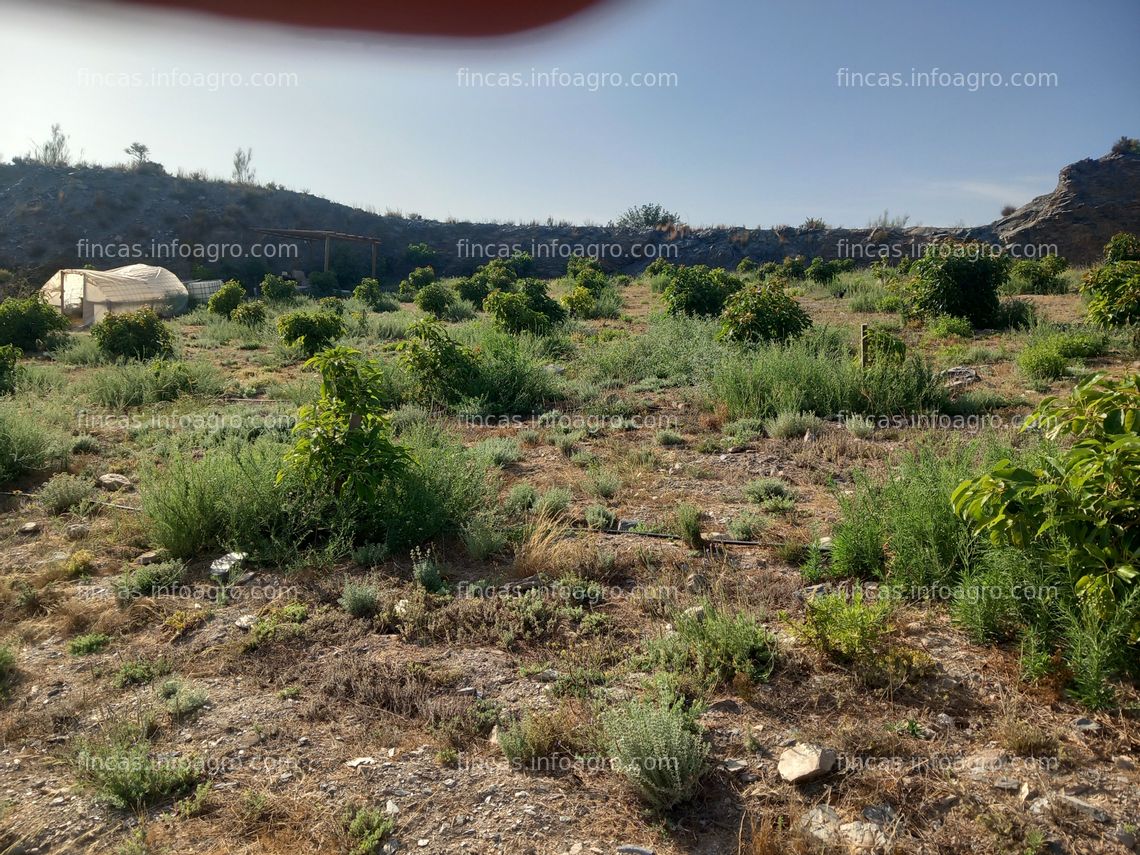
pixel 761 111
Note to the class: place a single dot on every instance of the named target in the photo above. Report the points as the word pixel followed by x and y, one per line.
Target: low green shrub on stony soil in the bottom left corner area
pixel 120 767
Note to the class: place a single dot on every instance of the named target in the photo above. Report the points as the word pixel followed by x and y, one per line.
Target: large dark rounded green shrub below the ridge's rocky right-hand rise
pixel 957 279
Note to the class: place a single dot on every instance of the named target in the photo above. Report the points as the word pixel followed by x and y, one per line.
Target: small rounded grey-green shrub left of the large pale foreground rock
pixel 657 750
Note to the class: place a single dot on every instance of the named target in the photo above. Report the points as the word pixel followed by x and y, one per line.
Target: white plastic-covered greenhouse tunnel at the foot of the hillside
pixel 91 295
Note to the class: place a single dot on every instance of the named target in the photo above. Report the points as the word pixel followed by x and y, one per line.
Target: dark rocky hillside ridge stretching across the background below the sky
pixel 70 217
